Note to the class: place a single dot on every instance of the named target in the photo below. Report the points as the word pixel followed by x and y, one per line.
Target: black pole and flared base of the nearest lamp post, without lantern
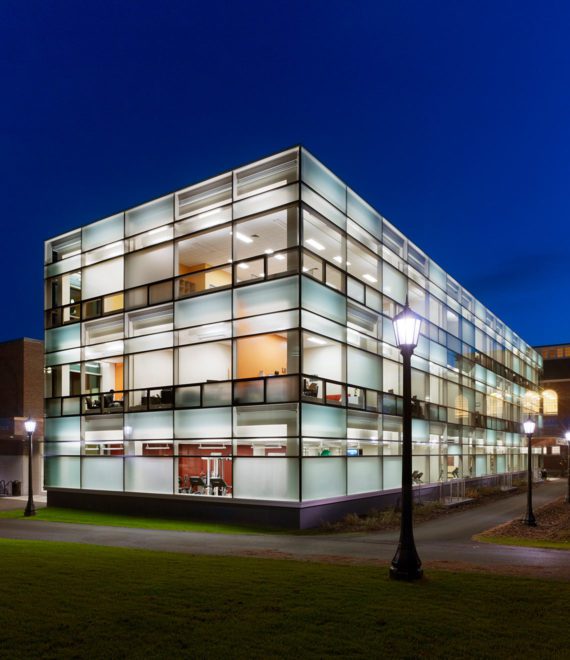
pixel 406 564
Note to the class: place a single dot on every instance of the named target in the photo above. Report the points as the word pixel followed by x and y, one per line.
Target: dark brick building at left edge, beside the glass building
pixel 21 396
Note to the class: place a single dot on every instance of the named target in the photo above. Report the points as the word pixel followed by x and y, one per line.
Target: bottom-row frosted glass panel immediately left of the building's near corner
pixel 266 478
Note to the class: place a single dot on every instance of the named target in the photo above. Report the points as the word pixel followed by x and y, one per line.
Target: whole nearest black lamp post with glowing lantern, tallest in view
pixel 406 564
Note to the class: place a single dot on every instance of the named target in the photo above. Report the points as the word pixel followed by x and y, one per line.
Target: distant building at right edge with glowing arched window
pixel 556 406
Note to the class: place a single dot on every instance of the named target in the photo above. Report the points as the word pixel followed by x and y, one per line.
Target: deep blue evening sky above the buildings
pixel 451 118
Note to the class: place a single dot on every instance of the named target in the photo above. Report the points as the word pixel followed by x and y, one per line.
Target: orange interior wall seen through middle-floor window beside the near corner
pixel 266 353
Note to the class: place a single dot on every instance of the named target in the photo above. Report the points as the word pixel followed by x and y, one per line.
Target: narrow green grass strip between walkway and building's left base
pixel 54 514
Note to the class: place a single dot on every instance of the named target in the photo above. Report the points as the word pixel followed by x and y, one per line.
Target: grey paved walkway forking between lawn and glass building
pixel 445 540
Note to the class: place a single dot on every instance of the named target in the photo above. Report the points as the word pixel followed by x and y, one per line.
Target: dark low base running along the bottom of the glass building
pixel 288 515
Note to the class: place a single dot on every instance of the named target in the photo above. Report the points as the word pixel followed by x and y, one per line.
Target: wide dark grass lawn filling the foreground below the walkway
pixel 64 600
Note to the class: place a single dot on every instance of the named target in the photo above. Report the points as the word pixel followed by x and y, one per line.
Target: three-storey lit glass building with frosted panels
pixel 228 349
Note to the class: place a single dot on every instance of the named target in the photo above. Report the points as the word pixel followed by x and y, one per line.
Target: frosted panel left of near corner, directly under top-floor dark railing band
pixel 266 297
